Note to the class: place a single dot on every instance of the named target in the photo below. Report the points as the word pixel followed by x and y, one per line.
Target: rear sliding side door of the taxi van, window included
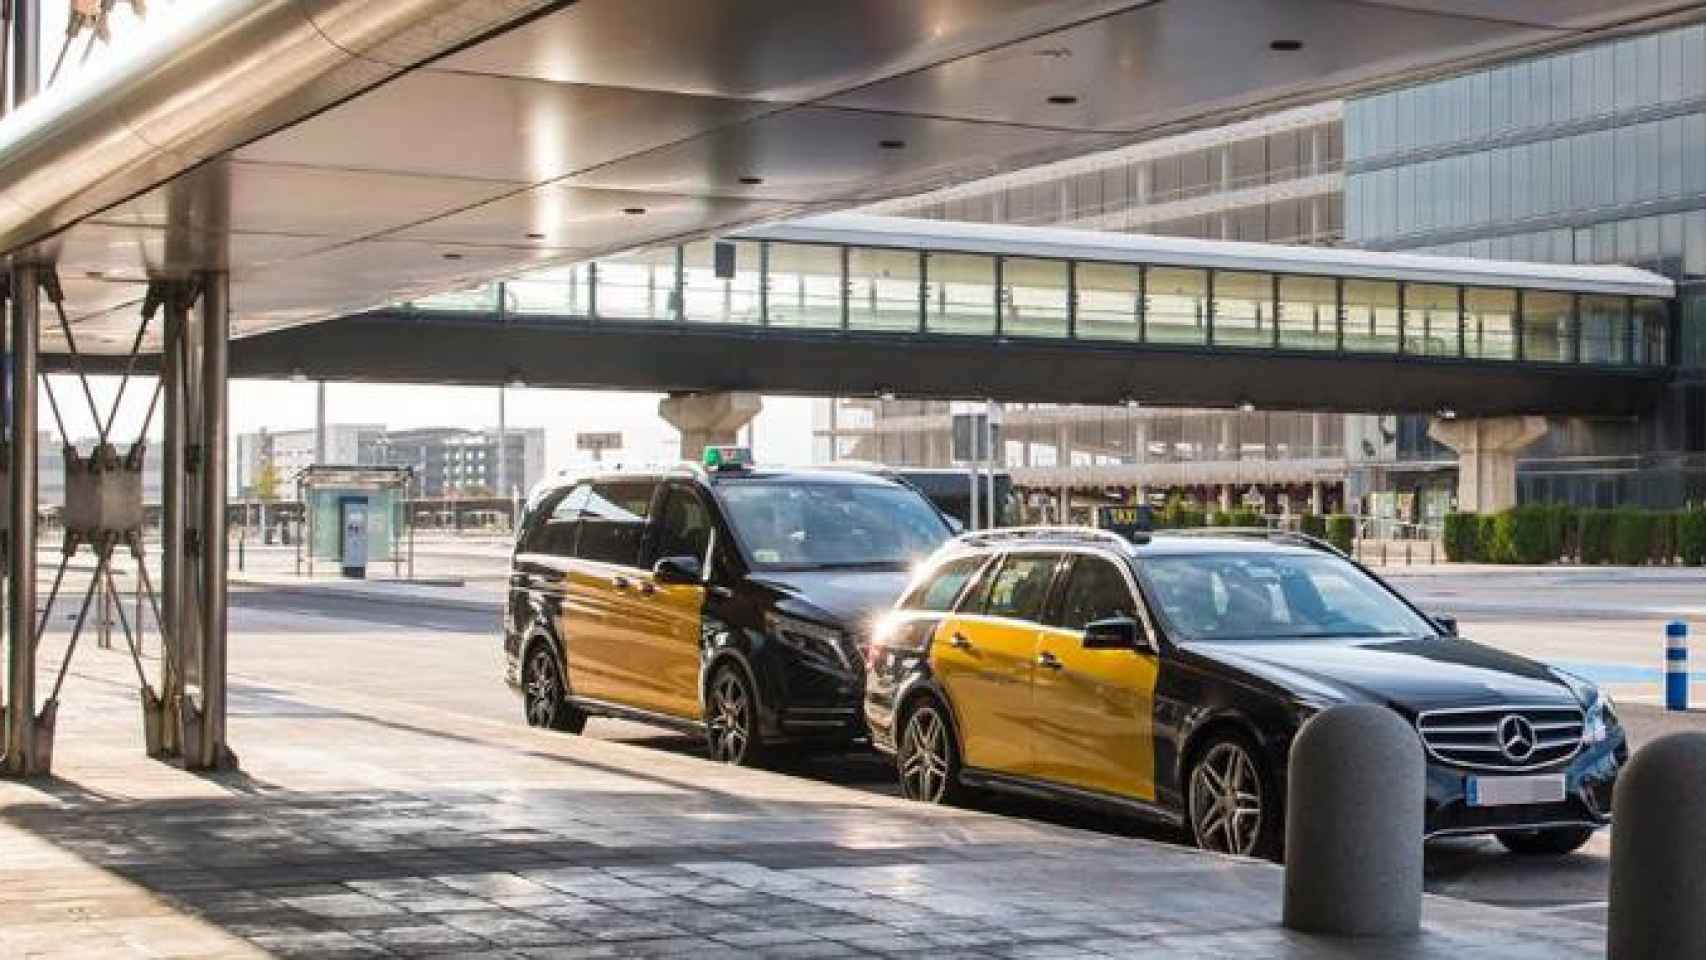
pixel 605 587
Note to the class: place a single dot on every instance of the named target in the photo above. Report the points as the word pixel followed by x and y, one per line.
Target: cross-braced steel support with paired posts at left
pixel 187 717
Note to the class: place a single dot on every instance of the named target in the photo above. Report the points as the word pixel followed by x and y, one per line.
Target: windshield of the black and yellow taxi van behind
pixel 813 524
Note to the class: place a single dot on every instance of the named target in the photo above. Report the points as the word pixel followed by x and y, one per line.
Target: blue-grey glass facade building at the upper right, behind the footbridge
pixel 1586 156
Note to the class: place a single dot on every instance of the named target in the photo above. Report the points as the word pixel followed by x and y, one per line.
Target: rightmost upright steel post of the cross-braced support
pixel 216 342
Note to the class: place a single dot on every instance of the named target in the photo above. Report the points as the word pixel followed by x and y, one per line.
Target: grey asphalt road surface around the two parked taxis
pixel 450 659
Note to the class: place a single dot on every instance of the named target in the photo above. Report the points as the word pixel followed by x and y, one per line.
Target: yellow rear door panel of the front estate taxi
pixel 985 666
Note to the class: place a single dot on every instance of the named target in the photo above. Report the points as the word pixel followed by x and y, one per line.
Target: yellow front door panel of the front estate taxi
pixel 1096 717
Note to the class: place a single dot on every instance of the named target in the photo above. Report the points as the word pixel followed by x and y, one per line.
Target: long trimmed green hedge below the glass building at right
pixel 1540 535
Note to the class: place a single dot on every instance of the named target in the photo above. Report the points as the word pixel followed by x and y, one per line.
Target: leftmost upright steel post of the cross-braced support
pixel 28 741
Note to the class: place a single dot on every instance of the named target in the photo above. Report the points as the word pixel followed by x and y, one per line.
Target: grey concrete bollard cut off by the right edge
pixel 1657 841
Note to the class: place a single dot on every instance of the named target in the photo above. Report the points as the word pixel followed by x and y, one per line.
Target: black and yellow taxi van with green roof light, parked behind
pixel 728 601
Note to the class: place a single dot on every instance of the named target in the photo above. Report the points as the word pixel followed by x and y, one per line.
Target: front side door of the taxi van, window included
pixel 668 616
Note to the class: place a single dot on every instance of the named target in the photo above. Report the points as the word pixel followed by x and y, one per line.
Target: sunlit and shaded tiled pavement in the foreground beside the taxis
pixel 368 828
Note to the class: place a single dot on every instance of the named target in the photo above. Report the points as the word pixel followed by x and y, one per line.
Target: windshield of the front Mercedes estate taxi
pixel 1275 598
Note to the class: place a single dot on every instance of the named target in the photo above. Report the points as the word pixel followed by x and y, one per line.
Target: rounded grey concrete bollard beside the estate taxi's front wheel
pixel 1355 824
